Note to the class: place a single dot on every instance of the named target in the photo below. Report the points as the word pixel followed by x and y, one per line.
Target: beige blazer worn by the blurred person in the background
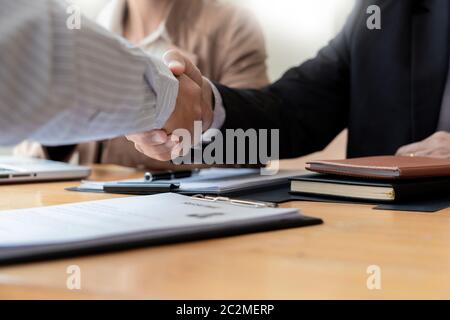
pixel 224 41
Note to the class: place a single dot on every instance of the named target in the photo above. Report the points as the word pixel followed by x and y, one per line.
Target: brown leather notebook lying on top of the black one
pixel 384 167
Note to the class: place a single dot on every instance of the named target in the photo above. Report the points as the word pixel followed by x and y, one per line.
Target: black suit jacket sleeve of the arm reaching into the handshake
pixel 309 104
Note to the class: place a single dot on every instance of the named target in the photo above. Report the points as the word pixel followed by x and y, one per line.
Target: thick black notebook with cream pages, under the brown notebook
pixel 369 189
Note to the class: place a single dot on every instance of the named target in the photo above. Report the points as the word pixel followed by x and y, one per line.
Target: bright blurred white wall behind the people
pixel 294 29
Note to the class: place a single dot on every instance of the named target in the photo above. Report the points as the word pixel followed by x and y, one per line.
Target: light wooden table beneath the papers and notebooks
pixel 328 261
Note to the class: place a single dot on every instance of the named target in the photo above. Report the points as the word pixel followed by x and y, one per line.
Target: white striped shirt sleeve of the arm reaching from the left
pixel 63 86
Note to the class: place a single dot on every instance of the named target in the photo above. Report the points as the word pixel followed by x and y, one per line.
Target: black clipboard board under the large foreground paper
pixel 20 254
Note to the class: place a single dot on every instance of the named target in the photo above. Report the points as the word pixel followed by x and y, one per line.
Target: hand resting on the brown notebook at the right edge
pixel 436 146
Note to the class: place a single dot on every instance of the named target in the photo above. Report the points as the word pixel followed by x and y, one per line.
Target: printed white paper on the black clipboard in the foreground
pixel 116 217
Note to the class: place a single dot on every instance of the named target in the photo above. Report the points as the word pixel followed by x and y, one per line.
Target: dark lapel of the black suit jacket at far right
pixel 429 63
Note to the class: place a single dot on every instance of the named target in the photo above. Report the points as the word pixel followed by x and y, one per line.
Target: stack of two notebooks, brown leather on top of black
pixel 385 178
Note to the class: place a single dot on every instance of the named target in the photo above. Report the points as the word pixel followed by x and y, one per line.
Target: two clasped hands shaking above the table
pixel 194 103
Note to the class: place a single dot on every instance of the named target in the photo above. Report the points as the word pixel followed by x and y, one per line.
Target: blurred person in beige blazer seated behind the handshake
pixel 224 41
